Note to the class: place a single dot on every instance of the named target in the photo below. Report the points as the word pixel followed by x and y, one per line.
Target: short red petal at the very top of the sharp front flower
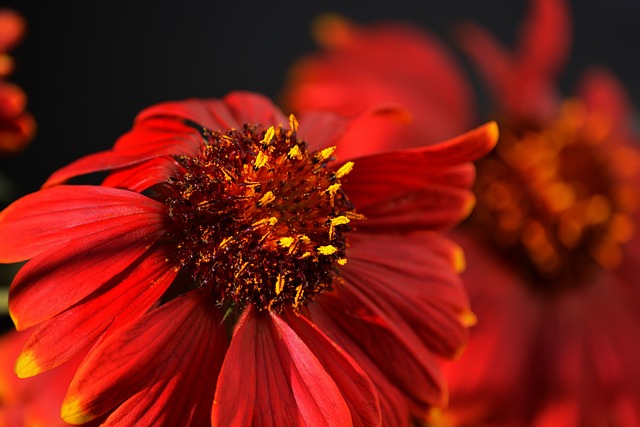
pixel 247 107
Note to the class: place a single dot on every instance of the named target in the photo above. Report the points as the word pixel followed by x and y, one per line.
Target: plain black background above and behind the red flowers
pixel 88 67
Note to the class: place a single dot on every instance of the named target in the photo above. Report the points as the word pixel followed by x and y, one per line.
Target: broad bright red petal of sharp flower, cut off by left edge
pixel 50 219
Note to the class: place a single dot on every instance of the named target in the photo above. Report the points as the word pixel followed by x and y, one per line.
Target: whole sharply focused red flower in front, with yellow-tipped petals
pixel 229 271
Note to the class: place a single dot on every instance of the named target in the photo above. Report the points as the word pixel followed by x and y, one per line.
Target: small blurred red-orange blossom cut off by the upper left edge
pixel 17 126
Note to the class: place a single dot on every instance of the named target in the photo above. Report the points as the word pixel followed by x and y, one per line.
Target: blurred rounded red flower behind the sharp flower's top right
pixel 390 63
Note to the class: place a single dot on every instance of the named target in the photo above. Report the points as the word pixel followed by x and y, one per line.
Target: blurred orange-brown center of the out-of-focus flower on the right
pixel 557 201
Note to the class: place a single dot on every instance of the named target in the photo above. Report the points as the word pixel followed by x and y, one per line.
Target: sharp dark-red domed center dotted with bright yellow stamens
pixel 259 219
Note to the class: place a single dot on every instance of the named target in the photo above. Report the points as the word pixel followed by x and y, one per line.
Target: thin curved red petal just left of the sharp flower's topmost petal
pixel 212 114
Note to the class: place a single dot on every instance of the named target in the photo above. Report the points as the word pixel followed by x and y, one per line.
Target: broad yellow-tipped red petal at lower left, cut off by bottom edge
pixel 161 369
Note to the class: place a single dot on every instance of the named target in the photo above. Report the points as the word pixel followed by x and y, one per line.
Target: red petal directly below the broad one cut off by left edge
pixel 69 274
